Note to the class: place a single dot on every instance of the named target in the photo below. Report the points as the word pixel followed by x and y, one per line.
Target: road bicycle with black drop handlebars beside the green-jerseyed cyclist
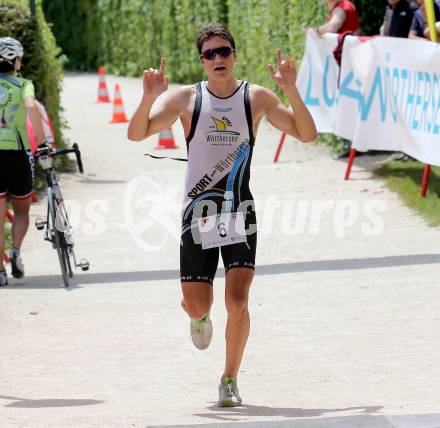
pixel 57 227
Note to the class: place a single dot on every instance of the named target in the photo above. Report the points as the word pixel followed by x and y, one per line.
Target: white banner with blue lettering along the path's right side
pixel 388 96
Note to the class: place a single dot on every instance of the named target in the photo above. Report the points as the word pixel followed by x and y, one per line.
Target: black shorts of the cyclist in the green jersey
pixel 16 174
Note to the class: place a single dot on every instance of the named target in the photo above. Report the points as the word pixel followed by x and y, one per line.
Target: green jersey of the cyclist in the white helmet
pixel 13 91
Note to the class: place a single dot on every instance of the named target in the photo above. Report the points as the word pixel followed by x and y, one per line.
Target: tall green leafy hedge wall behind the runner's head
pixel 134 34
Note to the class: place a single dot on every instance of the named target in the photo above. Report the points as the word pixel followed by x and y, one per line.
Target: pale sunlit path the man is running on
pixel 344 319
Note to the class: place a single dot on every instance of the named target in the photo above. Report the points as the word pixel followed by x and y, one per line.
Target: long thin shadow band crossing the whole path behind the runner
pixel 54 281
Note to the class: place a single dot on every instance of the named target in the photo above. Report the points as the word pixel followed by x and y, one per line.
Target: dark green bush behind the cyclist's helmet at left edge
pixel 40 60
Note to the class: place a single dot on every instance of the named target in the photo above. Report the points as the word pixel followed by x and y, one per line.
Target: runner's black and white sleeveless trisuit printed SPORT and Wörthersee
pixel 220 146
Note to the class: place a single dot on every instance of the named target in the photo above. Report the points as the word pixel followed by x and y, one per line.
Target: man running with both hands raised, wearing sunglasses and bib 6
pixel 220 118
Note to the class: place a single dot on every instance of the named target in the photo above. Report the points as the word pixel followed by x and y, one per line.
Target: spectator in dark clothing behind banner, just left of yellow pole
pixel 398 19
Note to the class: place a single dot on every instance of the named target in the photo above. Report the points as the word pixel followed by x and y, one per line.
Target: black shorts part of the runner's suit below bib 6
pixel 198 265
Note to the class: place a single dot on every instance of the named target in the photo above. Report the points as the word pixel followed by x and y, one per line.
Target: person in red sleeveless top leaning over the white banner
pixel 343 17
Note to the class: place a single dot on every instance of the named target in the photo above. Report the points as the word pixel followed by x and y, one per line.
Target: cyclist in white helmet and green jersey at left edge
pixel 16 163
